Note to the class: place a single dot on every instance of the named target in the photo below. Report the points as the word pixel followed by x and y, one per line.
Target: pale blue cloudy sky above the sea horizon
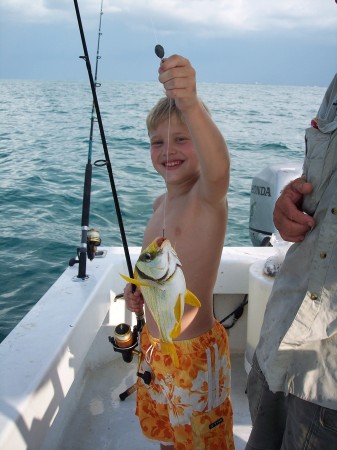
pixel 289 42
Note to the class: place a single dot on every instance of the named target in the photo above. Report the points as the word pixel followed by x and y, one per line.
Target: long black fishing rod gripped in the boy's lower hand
pixel 107 162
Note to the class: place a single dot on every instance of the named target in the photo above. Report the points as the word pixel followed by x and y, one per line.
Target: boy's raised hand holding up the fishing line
pixel 178 77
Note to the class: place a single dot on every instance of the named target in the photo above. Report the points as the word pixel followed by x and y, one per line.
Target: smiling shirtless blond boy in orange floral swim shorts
pixel 189 407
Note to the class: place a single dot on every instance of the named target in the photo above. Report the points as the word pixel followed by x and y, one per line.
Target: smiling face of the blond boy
pixel 172 152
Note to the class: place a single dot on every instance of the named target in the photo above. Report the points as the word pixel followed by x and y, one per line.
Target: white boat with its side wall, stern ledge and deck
pixel 47 360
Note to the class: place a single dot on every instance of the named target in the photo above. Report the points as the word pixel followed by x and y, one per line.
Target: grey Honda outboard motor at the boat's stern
pixel 267 186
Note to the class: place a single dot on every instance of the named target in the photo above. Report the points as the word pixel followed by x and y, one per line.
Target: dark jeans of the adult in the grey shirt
pixel 287 422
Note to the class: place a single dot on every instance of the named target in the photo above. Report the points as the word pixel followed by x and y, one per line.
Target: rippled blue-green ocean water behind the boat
pixel 44 149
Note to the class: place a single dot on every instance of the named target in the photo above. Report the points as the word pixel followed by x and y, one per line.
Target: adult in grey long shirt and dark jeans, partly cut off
pixel 292 387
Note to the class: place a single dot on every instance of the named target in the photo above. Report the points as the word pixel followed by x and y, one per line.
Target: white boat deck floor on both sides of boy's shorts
pixel 104 422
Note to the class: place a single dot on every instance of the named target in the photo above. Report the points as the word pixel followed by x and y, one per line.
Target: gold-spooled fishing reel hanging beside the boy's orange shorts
pixel 125 342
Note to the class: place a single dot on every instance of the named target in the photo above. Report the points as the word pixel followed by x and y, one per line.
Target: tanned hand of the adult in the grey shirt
pixel 291 222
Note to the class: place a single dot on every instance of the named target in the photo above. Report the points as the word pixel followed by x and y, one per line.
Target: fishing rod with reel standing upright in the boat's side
pixel 90 238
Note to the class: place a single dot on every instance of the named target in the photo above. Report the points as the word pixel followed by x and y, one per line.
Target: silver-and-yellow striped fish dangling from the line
pixel 158 274
